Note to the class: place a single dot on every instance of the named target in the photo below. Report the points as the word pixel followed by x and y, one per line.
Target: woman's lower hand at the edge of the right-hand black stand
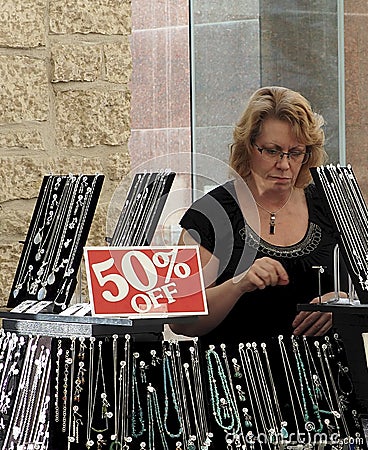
pixel 315 323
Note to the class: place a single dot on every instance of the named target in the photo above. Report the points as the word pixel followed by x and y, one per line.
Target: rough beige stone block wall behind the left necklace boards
pixel 65 67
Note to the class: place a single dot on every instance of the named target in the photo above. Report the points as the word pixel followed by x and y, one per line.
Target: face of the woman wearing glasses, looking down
pixel 275 173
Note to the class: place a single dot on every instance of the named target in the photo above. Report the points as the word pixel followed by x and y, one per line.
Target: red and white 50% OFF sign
pixel 145 281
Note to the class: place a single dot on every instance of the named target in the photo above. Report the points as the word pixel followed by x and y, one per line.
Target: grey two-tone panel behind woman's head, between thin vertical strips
pixel 237 47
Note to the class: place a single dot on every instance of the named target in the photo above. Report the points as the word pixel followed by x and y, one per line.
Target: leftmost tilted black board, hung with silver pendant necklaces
pixel 53 249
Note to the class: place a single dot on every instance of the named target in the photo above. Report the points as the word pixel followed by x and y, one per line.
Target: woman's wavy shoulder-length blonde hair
pixel 283 104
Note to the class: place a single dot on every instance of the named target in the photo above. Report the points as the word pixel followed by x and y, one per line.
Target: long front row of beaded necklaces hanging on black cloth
pixel 114 393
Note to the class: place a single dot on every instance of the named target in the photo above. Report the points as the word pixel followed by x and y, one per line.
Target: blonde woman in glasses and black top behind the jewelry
pixel 255 277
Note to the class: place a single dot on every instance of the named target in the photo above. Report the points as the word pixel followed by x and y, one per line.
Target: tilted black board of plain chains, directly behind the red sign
pixel 142 208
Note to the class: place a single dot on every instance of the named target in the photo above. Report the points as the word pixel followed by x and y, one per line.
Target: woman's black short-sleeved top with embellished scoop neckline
pixel 217 223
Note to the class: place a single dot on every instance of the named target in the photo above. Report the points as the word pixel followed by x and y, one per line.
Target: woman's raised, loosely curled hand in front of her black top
pixel 263 272
